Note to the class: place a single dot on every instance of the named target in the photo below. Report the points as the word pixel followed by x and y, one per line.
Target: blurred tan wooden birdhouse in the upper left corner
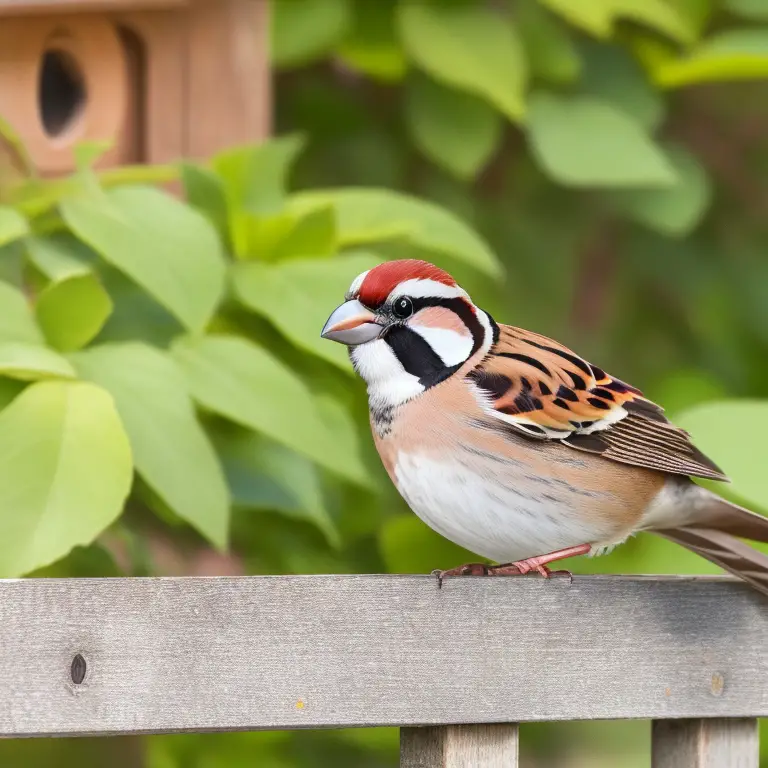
pixel 159 79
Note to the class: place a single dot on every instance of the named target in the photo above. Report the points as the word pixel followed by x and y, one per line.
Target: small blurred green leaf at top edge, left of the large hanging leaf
pixel 372 45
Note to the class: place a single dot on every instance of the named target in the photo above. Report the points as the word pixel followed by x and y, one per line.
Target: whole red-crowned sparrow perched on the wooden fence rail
pixel 512 446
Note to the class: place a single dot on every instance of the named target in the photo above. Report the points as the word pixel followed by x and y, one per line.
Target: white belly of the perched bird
pixel 497 515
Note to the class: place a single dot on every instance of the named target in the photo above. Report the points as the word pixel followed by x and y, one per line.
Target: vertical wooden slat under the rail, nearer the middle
pixel 459 746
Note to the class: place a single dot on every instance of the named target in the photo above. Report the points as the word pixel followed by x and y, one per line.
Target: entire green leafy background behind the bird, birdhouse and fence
pixel 592 170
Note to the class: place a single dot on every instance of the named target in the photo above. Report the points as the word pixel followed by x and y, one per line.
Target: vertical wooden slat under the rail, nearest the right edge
pixel 711 743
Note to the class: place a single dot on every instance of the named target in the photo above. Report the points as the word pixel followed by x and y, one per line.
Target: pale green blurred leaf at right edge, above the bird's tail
pixel 715 428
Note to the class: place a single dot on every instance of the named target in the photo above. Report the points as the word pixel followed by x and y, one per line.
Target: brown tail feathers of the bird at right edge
pixel 716 535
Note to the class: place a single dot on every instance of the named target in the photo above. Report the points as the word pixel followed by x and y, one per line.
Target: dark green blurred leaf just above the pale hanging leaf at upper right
pixel 612 75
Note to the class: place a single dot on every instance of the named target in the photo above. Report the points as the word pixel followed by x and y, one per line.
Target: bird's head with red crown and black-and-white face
pixel 409 326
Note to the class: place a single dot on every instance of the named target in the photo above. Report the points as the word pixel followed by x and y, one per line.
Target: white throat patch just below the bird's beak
pixel 388 382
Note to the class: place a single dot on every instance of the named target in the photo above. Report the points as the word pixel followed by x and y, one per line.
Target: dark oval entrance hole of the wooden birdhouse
pixel 61 92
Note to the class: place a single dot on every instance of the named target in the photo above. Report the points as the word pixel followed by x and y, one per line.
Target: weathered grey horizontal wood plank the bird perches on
pixel 317 651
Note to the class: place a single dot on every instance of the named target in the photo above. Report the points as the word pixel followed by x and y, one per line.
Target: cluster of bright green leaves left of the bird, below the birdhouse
pixel 118 292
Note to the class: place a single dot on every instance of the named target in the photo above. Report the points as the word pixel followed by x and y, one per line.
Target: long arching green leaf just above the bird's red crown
pixel 369 215
